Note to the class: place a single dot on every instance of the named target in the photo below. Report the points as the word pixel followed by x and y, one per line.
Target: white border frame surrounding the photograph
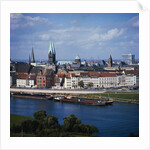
pixel 141 142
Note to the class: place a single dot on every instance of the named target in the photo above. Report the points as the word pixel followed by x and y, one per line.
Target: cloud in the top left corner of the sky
pixel 19 20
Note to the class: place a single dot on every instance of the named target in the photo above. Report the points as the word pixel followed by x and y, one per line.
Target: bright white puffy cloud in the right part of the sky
pixel 113 33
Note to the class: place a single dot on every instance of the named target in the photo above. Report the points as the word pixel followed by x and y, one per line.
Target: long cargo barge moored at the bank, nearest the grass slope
pixel 95 102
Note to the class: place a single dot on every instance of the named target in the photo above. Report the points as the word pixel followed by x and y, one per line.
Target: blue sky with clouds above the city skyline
pixel 91 36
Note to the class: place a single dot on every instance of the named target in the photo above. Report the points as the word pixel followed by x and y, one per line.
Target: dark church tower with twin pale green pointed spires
pixel 51 54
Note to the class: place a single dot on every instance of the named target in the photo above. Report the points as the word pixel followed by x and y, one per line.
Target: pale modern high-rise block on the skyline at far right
pixel 128 58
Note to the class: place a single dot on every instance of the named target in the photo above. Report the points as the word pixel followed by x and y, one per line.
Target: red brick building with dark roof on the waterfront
pixel 45 78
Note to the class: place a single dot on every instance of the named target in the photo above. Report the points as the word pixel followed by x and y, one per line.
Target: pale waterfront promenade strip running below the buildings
pixel 50 91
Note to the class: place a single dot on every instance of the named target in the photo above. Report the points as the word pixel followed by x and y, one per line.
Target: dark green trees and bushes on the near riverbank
pixel 45 125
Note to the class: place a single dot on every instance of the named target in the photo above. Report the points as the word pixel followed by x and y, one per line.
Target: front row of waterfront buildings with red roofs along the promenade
pixel 47 79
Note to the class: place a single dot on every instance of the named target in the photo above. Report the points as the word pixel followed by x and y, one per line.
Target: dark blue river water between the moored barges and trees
pixel 117 120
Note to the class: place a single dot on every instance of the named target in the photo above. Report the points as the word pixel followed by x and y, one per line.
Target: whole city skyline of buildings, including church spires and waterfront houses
pixel 68 75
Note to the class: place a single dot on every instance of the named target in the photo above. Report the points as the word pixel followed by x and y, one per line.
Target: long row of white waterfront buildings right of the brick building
pixel 101 80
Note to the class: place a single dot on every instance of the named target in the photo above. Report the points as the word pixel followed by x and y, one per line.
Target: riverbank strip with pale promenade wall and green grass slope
pixel 127 97
